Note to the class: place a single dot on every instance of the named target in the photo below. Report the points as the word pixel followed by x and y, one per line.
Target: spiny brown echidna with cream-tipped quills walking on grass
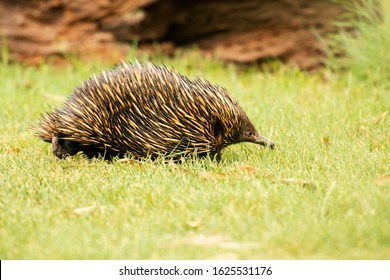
pixel 147 111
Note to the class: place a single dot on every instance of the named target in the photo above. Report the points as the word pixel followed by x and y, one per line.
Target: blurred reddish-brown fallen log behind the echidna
pixel 248 31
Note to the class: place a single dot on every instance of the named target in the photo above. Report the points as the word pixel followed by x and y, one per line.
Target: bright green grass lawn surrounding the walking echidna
pixel 322 194
